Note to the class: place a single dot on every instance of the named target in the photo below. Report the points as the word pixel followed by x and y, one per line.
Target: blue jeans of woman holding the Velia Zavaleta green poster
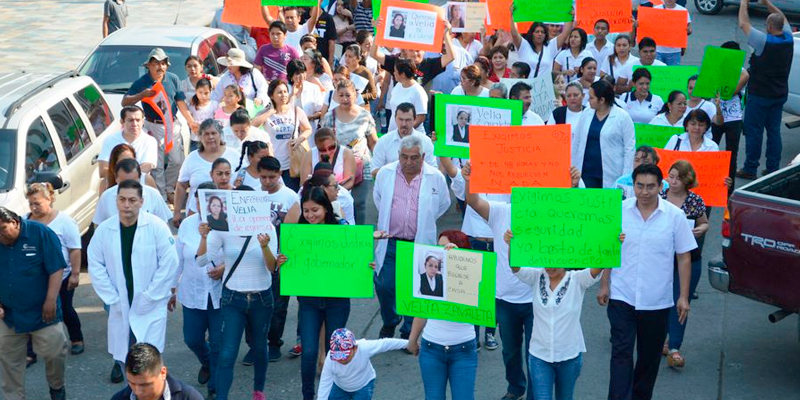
pixel 457 364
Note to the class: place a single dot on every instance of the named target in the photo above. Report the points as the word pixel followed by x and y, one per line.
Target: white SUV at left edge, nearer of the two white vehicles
pixel 52 128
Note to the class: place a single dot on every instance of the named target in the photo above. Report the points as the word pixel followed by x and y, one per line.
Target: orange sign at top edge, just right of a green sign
pixel 617 12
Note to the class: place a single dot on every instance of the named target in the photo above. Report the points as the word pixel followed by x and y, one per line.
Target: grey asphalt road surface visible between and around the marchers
pixel 732 351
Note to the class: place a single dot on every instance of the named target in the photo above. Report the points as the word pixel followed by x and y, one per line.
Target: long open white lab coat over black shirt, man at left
pixel 155 265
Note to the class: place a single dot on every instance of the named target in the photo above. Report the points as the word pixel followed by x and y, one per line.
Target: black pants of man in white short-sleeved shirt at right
pixel 647 330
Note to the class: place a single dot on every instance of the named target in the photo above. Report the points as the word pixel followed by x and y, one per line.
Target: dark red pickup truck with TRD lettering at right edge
pixel 761 243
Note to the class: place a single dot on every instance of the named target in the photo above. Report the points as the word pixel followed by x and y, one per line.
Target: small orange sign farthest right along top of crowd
pixel 666 27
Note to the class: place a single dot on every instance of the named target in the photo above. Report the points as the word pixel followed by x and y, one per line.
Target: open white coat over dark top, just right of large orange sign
pixel 617 143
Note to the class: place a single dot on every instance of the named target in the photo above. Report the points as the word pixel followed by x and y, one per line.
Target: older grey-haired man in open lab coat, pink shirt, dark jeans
pixel 410 195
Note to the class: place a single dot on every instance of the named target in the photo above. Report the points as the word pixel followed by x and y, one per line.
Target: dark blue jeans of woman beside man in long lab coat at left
pixel 195 324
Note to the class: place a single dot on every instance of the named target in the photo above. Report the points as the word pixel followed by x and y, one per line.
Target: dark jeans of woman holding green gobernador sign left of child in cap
pixel 314 312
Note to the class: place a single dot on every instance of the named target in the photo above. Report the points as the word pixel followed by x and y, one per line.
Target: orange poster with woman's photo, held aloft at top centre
pixel 410 25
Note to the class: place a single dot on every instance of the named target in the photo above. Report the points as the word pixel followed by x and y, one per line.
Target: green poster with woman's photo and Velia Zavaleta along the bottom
pixel 466 288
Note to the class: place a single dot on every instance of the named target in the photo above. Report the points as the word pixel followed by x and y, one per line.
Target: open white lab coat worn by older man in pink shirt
pixel 434 200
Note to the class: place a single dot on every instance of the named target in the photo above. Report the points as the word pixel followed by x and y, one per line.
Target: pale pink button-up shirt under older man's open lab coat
pixel 405 205
